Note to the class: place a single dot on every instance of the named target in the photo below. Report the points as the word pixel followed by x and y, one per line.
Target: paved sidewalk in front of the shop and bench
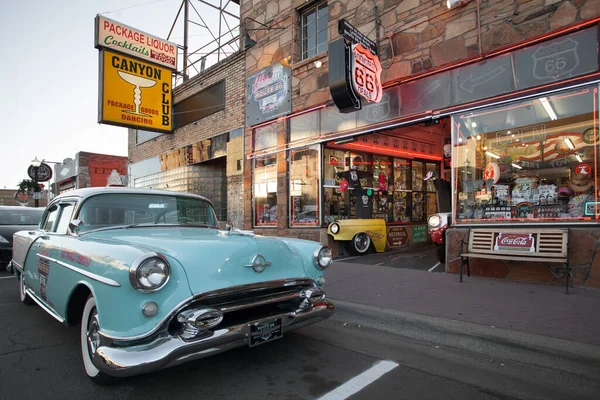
pixel 537 309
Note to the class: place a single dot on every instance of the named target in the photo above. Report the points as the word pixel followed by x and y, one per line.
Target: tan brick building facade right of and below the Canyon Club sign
pixel 204 154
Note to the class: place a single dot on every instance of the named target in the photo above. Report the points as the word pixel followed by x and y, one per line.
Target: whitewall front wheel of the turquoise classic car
pixel 90 341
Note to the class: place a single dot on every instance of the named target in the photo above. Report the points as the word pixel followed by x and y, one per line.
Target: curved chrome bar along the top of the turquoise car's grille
pixel 212 294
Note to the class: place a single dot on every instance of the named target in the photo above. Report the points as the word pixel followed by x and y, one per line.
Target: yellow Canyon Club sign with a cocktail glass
pixel 134 94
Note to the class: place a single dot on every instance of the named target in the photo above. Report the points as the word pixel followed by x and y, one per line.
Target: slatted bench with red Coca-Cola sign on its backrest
pixel 545 245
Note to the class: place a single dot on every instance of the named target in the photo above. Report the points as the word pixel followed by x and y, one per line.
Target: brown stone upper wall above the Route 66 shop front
pixel 415 35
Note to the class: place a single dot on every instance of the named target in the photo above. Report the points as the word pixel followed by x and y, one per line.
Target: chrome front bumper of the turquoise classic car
pixel 168 351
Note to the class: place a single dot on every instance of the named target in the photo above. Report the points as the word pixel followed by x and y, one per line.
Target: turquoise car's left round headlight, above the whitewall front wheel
pixel 150 273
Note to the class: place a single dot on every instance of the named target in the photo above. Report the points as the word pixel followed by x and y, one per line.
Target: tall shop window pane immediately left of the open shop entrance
pixel 304 187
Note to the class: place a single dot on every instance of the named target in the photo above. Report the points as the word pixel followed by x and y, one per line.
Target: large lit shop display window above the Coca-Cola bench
pixel 531 161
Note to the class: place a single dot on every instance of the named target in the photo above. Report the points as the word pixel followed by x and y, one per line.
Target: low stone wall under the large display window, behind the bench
pixel 584 258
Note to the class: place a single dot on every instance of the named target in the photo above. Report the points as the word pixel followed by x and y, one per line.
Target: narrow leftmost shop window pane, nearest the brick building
pixel 265 191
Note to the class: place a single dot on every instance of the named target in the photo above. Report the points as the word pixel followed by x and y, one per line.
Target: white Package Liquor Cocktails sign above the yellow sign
pixel 124 39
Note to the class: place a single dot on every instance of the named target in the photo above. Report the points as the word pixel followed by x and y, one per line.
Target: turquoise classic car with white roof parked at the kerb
pixel 154 282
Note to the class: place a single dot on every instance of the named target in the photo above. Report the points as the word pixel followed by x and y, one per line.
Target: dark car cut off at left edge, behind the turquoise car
pixel 14 219
